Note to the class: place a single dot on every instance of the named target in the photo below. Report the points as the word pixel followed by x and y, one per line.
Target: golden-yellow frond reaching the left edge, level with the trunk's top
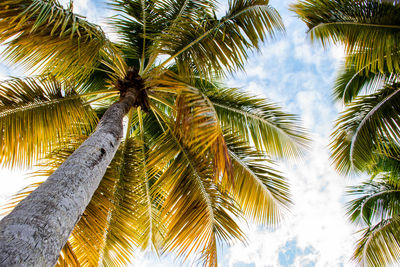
pixel 35 114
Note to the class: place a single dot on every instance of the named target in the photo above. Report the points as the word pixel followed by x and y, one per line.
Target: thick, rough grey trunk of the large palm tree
pixel 34 233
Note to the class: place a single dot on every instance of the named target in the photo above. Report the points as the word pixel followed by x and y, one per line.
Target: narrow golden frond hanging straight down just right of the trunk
pixel 134 218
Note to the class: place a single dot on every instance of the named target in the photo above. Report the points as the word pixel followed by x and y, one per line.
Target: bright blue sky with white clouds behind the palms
pixel 299 76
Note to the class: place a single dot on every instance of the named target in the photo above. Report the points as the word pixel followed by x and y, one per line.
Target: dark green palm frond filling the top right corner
pixel 369 30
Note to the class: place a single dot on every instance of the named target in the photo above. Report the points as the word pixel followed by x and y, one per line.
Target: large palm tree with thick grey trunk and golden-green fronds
pixel 181 174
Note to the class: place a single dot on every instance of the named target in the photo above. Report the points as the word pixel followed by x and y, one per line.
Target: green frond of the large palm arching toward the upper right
pixel 210 45
